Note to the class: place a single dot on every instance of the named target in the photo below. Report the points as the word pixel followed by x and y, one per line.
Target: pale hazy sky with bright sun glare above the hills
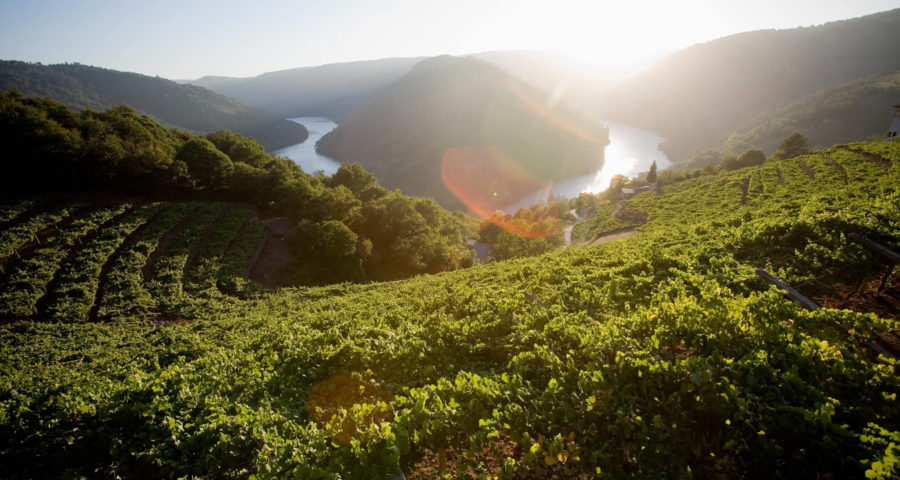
pixel 184 39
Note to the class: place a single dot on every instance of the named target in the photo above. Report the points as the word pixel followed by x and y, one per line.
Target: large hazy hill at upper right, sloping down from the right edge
pixel 699 96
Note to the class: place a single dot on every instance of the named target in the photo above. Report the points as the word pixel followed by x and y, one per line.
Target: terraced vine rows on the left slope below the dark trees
pixel 137 263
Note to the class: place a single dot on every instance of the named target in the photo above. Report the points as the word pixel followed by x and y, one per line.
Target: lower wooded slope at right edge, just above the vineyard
pixel 839 114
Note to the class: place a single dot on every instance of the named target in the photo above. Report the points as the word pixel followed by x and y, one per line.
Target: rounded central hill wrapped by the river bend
pixel 466 133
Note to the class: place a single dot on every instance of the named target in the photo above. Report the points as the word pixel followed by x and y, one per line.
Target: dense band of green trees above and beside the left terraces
pixel 371 233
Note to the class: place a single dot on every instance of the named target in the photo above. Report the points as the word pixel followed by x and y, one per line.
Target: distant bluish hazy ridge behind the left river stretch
pixel 334 90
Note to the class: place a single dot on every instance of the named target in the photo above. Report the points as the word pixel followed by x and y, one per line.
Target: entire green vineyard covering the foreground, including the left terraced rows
pixel 133 345
